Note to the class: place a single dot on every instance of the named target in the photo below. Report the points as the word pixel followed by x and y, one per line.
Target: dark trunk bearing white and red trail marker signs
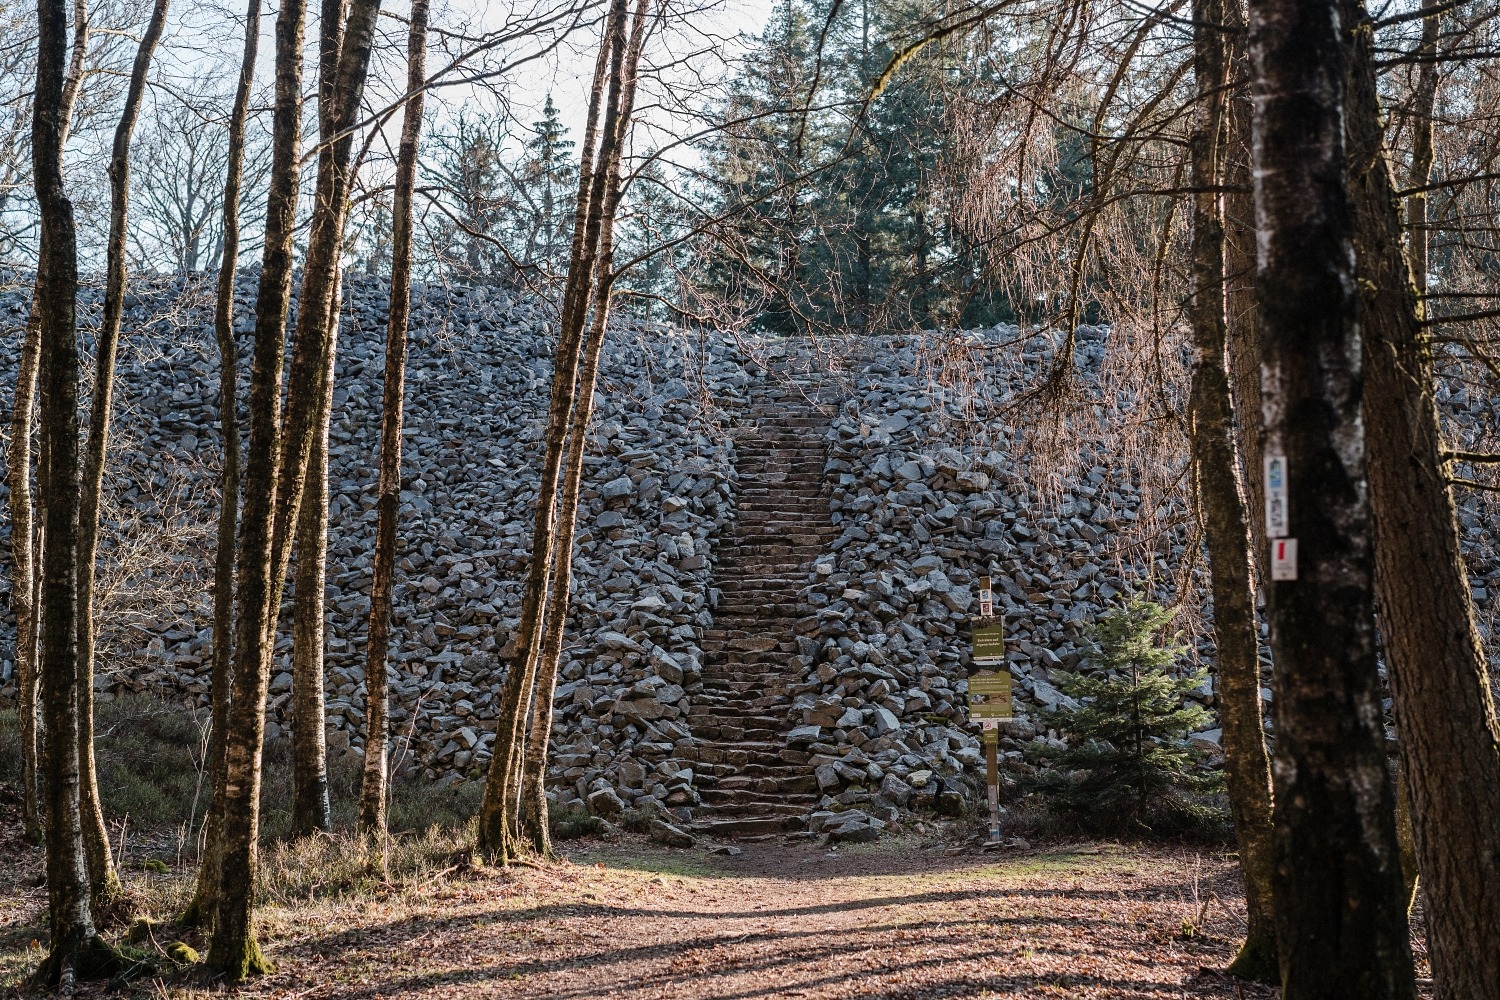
pixel 1340 923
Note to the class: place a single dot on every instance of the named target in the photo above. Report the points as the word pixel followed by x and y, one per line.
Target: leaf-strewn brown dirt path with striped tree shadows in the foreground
pixel 782 921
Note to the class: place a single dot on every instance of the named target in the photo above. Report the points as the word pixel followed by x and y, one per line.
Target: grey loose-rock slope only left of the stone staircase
pixel 659 487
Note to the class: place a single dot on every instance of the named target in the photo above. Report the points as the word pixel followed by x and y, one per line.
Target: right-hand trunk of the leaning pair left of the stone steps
pixel 535 770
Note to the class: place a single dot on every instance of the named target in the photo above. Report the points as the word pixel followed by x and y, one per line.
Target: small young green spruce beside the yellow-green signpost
pixel 1129 765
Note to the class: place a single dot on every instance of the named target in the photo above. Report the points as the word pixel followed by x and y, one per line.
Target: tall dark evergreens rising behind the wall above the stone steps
pixel 841 212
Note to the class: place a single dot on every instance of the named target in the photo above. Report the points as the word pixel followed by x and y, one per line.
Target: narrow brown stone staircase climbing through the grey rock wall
pixel 751 782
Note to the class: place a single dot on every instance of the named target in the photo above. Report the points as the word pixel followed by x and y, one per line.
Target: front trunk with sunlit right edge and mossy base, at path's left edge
pixel 233 951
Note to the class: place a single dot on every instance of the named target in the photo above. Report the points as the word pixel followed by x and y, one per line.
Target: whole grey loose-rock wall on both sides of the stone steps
pixel 931 488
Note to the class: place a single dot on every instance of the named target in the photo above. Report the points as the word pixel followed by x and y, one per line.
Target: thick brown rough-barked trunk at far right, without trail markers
pixel 1438 672
